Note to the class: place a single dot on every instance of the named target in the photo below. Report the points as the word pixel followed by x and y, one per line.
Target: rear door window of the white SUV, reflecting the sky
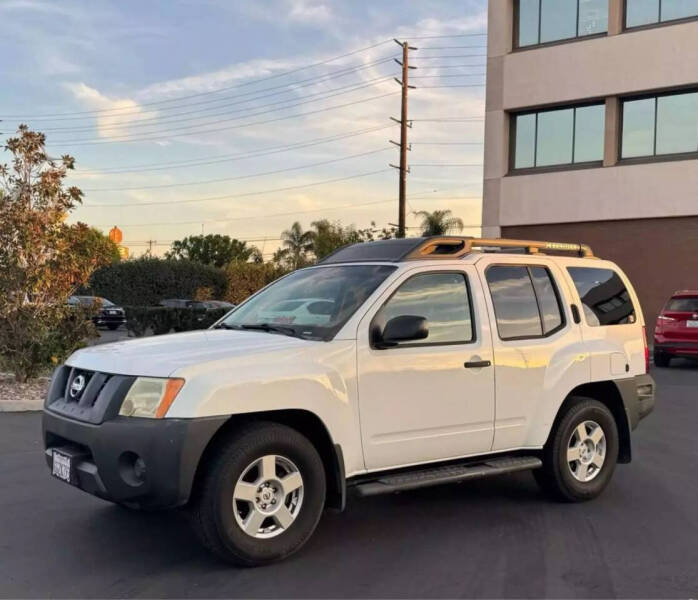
pixel 526 302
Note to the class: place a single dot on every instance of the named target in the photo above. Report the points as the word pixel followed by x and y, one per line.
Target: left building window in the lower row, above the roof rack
pixel 563 136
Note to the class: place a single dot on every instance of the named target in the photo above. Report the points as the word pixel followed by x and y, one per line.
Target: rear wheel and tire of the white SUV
pixel 579 480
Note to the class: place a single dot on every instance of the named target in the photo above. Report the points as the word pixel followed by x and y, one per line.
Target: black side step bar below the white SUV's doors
pixel 411 480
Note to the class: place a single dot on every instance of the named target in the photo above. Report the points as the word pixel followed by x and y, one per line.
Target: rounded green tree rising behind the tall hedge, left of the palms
pixel 213 249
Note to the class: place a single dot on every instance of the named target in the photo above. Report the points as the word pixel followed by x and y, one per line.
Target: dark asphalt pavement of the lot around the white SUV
pixel 492 538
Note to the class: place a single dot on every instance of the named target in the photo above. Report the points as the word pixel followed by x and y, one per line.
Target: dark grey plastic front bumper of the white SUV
pixel 170 448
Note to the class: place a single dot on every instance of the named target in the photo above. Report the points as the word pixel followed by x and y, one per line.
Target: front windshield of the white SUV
pixel 311 303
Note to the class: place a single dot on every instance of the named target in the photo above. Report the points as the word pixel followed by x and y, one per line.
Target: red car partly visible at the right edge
pixel 676 332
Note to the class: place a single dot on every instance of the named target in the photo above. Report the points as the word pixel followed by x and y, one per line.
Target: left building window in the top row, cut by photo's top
pixel 545 21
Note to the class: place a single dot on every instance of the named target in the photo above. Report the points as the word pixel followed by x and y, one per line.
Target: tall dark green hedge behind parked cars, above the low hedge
pixel 148 280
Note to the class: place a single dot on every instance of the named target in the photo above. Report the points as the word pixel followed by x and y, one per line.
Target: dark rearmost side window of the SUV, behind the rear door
pixel 604 297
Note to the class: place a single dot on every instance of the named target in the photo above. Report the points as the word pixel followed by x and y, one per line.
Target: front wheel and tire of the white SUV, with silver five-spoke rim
pixel 238 469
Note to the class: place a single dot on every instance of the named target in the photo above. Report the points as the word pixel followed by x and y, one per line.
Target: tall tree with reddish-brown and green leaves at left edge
pixel 42 259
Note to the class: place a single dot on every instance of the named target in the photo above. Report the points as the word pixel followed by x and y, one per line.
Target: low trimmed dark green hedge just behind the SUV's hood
pixel 164 319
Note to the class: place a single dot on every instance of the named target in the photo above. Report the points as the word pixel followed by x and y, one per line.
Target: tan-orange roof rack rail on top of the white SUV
pixel 456 246
